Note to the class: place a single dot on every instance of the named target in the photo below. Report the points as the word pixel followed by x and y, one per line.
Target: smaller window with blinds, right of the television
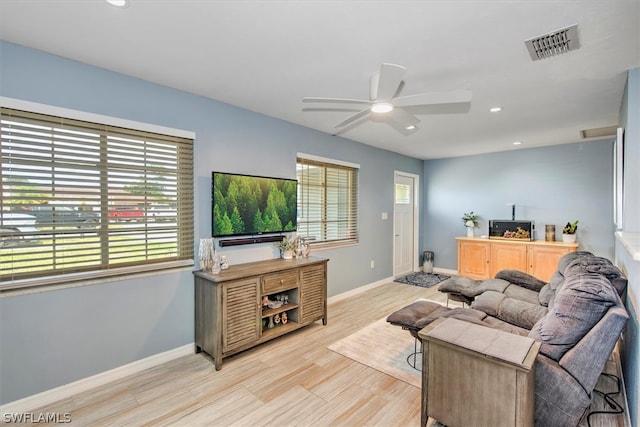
pixel 327 200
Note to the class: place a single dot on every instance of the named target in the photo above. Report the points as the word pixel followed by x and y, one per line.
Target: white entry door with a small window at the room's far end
pixel 405 227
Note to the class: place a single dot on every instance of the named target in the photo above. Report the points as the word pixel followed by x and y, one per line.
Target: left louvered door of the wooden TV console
pixel 241 314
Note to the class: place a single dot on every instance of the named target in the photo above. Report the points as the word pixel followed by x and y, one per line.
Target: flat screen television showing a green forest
pixel 251 205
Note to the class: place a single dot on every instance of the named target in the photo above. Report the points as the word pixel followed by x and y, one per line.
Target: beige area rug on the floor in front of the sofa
pixel 383 347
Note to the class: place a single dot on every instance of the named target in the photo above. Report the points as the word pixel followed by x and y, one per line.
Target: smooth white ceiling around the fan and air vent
pixel 266 56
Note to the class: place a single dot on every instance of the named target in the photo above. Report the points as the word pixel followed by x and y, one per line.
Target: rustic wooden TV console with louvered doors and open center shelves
pixel 229 313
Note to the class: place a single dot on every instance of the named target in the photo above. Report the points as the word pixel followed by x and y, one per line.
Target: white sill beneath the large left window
pixel 66 281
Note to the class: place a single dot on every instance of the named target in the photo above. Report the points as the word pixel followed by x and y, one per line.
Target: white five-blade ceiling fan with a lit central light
pixel 385 104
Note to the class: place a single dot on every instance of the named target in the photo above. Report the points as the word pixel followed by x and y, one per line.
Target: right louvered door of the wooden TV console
pixel 313 294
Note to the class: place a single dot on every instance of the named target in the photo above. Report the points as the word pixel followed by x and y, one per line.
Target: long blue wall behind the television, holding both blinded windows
pixel 53 338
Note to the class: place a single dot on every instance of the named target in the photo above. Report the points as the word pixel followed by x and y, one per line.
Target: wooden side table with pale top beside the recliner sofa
pixel 475 375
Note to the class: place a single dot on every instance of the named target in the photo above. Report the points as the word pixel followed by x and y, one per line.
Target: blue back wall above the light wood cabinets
pixel 550 185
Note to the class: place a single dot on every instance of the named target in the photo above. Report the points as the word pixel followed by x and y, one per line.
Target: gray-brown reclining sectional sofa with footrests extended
pixel 577 317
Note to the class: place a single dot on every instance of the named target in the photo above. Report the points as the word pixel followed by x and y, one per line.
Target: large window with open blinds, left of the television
pixel 83 197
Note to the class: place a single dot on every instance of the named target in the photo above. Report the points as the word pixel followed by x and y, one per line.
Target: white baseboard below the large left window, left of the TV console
pixel 50 396
